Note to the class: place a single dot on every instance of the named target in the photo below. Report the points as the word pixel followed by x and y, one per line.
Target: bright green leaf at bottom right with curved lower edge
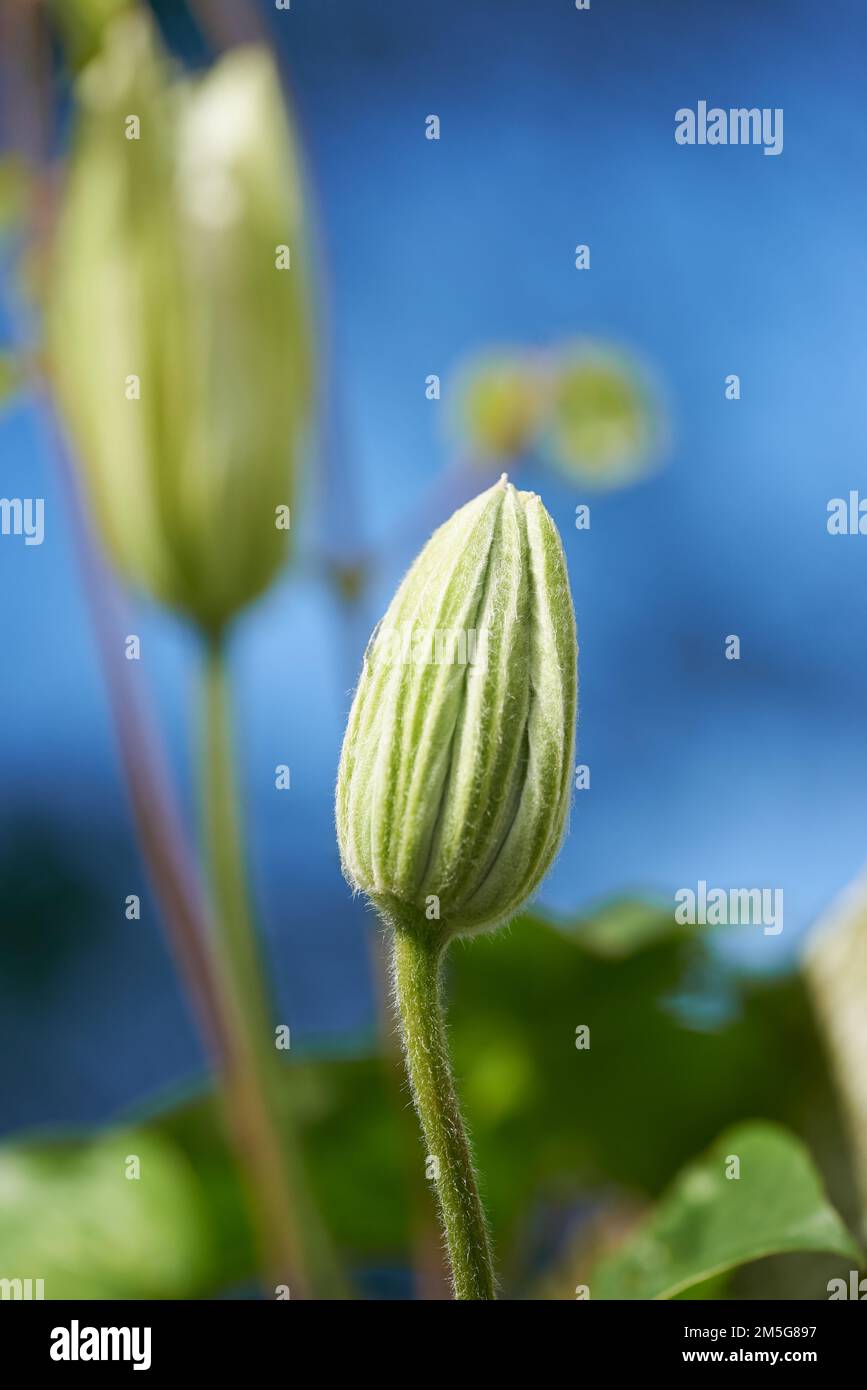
pixel 708 1223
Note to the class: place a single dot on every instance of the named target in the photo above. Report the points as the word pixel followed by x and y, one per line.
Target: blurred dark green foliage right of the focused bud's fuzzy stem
pixel 655 1086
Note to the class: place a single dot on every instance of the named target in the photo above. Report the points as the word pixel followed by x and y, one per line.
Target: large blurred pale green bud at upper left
pixel 180 347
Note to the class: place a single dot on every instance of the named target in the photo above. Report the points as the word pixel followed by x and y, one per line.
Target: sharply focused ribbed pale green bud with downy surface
pixel 455 779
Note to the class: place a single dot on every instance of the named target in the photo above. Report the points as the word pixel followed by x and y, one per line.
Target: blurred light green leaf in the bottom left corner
pixel 72 1217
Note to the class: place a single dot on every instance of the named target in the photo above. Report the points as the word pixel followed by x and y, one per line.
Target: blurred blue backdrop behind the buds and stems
pixel 558 127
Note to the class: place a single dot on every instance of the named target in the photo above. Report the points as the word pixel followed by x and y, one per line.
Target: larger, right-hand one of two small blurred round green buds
pixel 604 426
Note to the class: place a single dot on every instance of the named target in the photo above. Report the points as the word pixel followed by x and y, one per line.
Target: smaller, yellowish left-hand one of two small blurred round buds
pixel 502 405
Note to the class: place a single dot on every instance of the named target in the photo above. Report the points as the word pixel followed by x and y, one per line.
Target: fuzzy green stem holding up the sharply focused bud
pixel 418 970
